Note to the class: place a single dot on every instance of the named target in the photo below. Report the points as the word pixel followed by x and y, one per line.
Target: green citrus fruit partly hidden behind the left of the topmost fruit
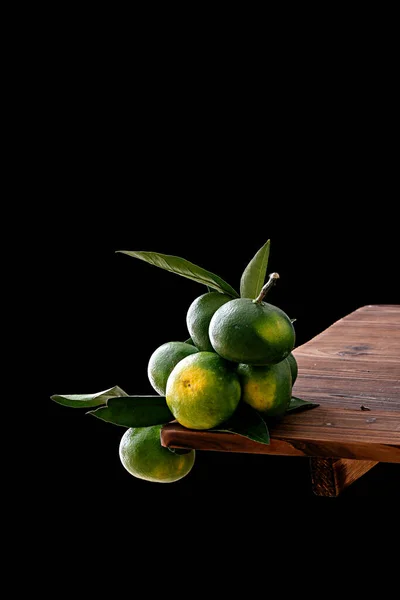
pixel 199 316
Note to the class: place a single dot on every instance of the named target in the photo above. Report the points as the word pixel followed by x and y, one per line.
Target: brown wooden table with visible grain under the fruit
pixel 352 369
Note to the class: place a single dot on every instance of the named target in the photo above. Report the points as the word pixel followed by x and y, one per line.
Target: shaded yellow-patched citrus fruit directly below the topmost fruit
pixel 268 389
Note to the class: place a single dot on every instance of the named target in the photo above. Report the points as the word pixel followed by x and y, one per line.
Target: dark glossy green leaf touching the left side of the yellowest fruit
pixel 135 411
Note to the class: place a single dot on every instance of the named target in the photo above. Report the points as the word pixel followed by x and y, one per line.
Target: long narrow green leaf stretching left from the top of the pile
pixel 183 267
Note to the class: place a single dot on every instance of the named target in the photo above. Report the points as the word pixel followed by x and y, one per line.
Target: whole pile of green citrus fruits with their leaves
pixel 235 371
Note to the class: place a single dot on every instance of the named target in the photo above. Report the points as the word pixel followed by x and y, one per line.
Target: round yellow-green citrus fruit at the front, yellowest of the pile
pixel 203 391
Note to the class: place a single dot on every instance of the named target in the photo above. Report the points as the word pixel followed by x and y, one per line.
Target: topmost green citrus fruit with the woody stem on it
pixel 251 332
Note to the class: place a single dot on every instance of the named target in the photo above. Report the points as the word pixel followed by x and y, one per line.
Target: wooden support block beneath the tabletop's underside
pixel 331 476
